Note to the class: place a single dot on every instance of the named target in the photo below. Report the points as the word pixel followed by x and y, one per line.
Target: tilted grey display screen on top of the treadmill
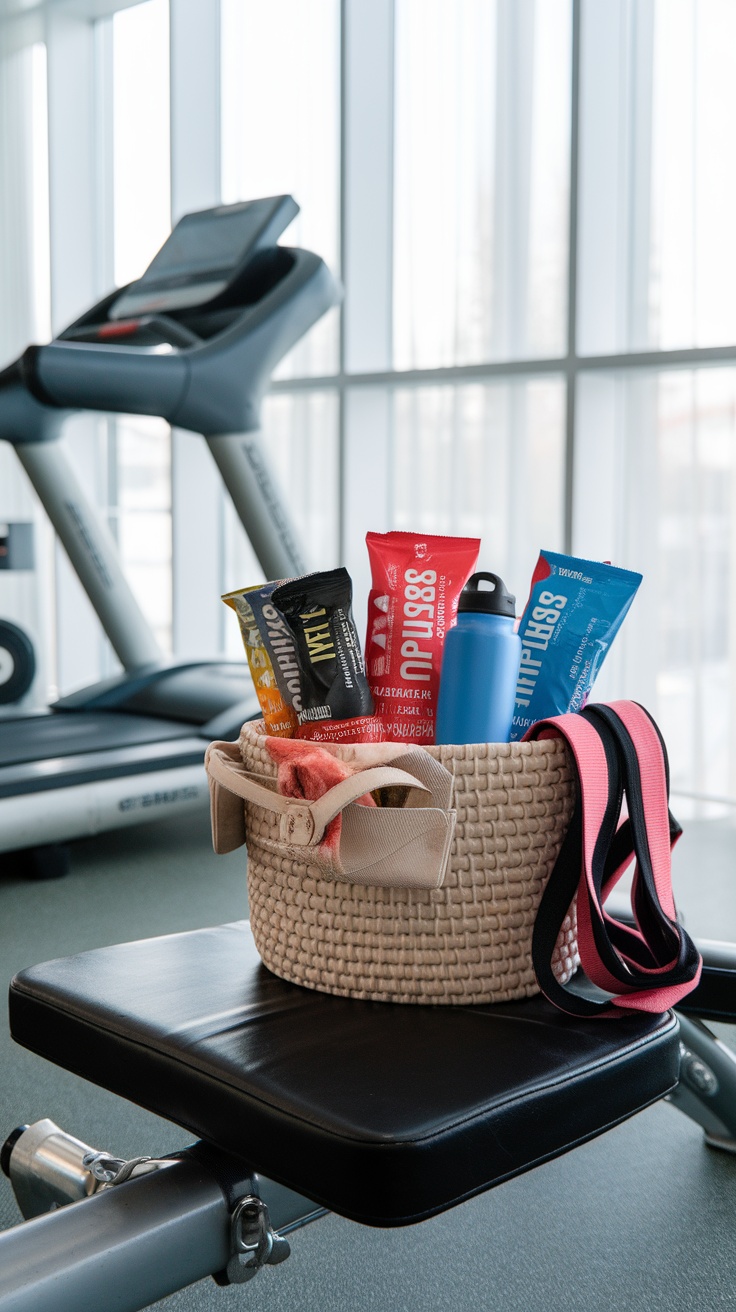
pixel 205 256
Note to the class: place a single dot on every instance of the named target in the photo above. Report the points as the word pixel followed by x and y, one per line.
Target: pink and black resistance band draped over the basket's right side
pixel 650 968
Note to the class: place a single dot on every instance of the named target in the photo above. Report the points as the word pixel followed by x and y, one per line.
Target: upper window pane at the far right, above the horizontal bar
pixel 658 267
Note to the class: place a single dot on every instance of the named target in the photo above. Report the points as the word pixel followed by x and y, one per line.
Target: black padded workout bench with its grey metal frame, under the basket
pixel 195 1029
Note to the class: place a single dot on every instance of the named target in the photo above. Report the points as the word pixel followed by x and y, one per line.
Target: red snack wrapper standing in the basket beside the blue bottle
pixel 414 602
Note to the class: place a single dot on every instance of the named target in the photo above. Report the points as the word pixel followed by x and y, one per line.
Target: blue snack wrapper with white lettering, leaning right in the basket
pixel 574 613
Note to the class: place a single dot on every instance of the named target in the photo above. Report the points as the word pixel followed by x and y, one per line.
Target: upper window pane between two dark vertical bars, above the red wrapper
pixel 481 180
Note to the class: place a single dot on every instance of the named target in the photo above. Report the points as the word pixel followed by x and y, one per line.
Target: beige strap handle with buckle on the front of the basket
pixel 302 825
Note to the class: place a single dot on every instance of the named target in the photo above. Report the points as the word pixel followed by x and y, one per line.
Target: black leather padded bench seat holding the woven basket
pixel 386 1115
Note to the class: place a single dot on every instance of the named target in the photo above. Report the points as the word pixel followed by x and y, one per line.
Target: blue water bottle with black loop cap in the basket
pixel 480 667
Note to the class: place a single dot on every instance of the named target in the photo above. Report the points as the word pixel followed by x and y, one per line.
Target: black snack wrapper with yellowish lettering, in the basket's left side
pixel 318 611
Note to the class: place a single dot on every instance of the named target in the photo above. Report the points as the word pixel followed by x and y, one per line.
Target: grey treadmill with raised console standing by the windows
pixel 195 342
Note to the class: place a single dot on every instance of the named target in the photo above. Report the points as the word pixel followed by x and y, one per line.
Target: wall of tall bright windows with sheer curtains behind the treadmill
pixel 531 205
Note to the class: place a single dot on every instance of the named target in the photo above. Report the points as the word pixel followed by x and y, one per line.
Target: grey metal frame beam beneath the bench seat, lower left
pixel 133 1244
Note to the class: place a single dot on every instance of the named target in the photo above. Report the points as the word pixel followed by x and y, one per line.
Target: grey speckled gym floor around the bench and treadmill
pixel 641 1221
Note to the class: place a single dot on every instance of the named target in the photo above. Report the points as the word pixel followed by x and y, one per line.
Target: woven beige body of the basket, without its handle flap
pixel 469 941
